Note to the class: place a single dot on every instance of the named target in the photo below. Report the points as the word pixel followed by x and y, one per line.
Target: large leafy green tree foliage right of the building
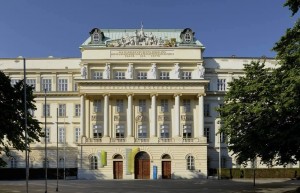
pixel 261 115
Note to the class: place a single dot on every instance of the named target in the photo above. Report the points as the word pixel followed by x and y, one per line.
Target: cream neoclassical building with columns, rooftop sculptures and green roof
pixel 138 104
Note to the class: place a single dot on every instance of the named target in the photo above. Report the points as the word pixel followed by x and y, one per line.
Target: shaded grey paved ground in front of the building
pixel 153 186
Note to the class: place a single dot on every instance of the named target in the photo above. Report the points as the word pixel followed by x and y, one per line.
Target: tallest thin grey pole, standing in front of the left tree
pixel 25 119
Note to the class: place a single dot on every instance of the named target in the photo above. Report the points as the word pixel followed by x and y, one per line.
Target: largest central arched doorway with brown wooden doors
pixel 142 166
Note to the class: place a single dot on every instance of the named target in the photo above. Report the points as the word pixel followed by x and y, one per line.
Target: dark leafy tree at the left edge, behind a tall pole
pixel 12 122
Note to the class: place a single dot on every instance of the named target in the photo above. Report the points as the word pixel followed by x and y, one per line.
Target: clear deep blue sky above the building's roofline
pixel 40 28
